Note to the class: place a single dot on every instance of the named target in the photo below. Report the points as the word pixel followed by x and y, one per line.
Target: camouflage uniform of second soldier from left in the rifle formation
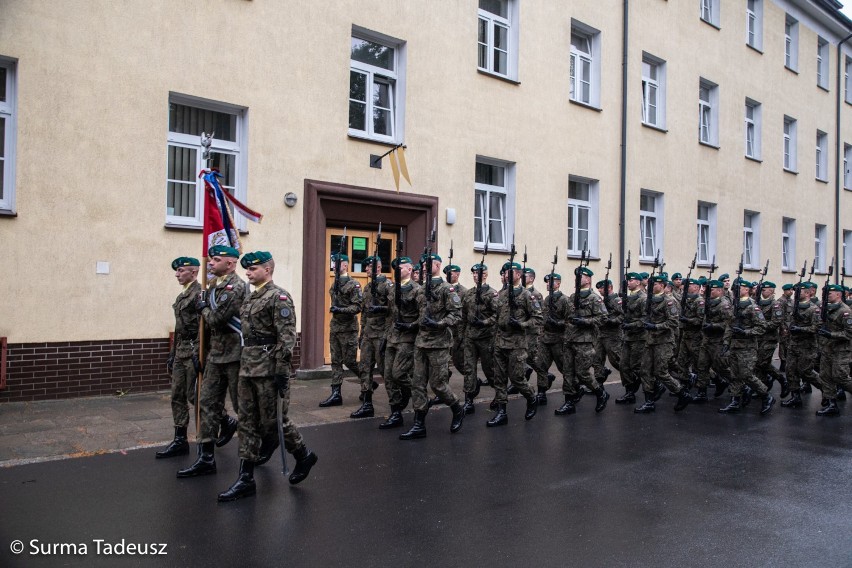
pixel 374 329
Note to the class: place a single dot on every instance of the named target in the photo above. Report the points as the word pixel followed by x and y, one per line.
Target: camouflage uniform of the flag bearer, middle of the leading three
pixel 222 367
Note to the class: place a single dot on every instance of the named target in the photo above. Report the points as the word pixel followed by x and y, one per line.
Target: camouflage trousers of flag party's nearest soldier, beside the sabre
pixel 258 416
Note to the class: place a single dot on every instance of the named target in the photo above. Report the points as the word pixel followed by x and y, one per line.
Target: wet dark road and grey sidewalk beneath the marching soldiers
pixel 613 489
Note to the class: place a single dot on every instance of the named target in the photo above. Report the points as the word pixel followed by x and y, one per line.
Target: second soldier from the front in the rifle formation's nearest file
pixel 514 316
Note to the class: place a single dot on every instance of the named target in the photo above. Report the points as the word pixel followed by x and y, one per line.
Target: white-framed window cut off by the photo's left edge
pixel 8 133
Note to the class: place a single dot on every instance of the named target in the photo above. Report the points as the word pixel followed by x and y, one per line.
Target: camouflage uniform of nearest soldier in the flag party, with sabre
pixel 269 329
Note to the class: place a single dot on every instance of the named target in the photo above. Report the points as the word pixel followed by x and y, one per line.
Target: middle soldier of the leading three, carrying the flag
pixel 221 309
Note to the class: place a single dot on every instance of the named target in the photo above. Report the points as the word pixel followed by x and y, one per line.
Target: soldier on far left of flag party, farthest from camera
pixel 184 355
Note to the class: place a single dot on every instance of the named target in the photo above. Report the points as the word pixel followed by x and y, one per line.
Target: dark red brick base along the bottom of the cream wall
pixel 44 371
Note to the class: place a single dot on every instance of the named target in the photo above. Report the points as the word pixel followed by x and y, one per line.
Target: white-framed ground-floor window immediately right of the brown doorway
pixel 494 205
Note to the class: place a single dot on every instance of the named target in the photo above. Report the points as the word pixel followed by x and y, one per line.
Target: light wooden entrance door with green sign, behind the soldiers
pixel 357 246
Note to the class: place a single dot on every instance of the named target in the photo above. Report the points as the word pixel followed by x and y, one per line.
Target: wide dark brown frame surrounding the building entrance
pixel 337 204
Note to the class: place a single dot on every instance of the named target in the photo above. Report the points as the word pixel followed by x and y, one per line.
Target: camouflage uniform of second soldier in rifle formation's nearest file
pixel 510 343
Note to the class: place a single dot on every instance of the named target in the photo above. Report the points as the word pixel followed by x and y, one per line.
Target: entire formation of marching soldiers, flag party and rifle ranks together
pixel 661 332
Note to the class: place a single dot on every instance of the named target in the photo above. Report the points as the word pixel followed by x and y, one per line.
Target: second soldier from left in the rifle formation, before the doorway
pixel 374 330
